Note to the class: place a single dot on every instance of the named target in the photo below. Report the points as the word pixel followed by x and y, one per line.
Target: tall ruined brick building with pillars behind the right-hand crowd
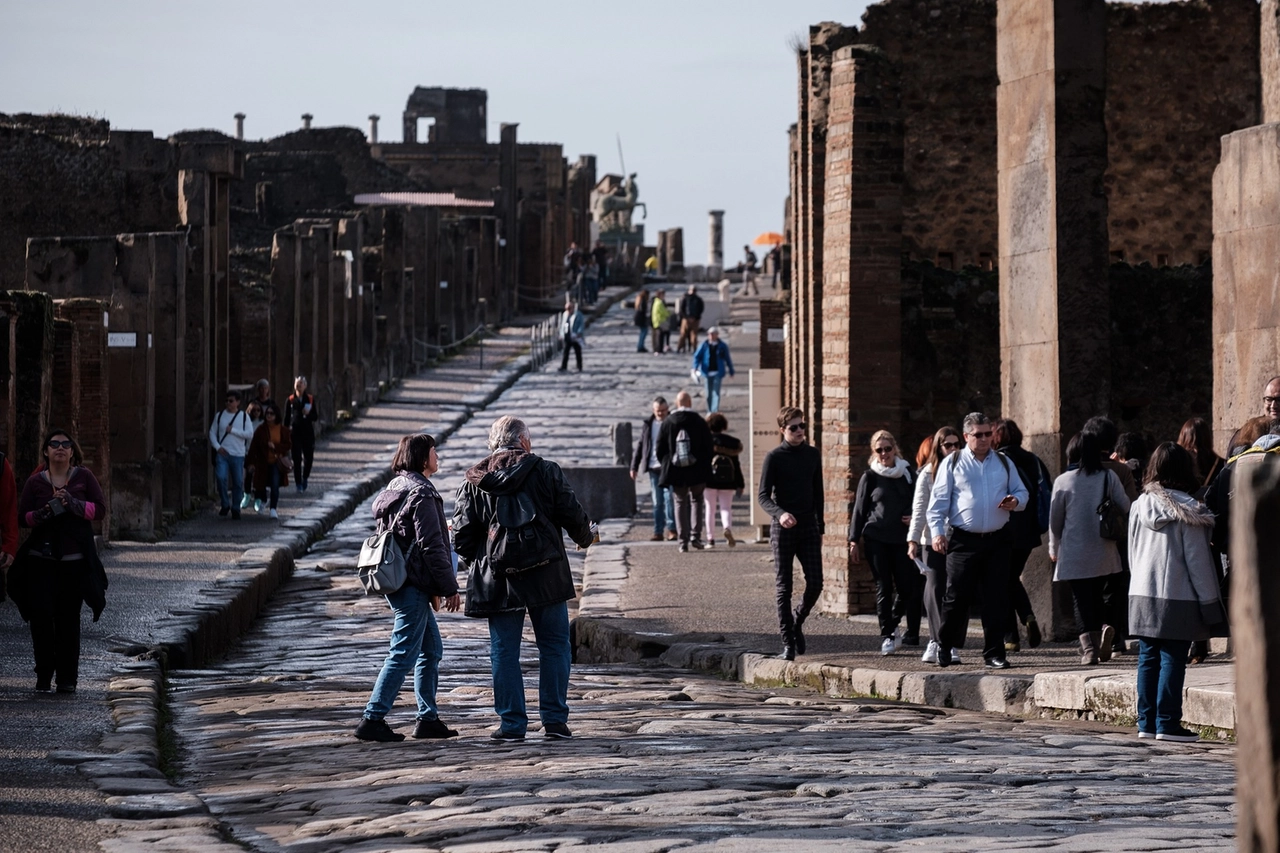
pixel 1007 225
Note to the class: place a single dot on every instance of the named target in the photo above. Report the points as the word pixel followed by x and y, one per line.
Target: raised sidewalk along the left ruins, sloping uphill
pixel 189 597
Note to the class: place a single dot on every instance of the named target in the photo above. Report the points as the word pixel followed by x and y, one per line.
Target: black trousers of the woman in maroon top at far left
pixel 56 622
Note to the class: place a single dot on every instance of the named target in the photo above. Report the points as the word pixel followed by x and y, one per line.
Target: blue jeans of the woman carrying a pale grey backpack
pixel 415 645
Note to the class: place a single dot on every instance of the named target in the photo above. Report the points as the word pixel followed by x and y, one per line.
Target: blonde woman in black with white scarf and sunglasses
pixel 883 510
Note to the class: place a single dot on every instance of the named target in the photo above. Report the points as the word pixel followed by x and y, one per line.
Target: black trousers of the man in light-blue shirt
pixel 977 567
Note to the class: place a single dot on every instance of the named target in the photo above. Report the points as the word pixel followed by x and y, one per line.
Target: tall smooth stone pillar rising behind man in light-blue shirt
pixel 1055 318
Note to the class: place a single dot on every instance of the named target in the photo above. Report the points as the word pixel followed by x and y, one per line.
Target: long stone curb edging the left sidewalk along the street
pixel 127 768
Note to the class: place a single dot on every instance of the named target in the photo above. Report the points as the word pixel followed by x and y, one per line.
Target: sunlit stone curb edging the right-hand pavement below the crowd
pixel 602 637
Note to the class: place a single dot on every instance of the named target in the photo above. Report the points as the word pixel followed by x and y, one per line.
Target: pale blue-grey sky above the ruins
pixel 701 92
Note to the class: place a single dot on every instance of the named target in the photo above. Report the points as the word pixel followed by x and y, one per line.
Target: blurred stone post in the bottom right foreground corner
pixel 1255 623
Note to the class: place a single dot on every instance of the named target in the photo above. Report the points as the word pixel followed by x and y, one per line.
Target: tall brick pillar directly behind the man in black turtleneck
pixel 862 266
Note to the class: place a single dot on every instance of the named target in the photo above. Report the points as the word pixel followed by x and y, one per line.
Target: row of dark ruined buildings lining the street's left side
pixel 143 277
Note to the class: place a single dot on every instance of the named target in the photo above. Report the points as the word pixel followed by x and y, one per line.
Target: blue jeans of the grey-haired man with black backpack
pixel 555 655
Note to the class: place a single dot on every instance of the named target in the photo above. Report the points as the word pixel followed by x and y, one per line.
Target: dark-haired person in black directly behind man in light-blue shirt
pixel 1028 530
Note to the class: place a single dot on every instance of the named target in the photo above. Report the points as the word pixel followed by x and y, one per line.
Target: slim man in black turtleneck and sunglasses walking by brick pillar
pixel 792 494
